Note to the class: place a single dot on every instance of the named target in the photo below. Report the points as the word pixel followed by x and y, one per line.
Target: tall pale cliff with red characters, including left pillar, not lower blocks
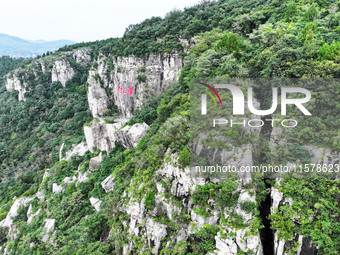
pixel 129 81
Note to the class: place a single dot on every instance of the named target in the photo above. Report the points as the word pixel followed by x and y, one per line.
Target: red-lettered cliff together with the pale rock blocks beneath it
pixel 124 82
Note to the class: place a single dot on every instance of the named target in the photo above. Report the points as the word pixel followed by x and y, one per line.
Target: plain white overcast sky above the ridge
pixel 79 20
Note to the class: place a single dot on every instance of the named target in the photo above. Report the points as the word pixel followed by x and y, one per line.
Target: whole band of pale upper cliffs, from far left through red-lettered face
pixel 122 81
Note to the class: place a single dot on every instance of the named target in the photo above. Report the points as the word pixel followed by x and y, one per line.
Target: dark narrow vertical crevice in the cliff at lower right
pixel 266 233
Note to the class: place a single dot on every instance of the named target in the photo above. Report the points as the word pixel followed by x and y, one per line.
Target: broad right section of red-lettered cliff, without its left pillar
pixel 160 71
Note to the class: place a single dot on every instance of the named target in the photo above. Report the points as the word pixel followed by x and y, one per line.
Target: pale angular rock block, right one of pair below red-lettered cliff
pixel 129 136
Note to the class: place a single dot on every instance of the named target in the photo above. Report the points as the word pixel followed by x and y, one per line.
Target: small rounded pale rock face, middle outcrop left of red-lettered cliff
pixel 62 71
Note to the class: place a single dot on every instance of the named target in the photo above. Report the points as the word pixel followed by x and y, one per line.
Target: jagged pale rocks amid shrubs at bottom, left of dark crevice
pixel 179 183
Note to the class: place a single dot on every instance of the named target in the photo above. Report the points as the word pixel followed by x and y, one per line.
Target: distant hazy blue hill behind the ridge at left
pixel 17 47
